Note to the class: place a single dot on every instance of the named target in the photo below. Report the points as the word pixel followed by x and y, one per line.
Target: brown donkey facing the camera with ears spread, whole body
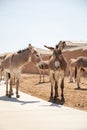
pixel 57 66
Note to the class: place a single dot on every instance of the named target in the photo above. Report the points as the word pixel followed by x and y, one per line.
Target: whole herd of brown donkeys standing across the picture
pixel 11 65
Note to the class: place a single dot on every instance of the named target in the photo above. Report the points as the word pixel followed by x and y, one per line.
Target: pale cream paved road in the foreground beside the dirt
pixel 31 113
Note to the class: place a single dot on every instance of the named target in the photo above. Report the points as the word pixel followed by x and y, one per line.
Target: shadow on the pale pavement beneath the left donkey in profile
pixel 5 98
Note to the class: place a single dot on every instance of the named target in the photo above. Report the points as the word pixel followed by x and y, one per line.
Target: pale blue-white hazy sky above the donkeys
pixel 41 22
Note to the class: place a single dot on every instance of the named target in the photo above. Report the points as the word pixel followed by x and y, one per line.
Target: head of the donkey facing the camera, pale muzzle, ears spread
pixel 57 59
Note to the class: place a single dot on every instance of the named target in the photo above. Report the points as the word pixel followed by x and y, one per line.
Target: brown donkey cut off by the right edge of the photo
pixel 81 64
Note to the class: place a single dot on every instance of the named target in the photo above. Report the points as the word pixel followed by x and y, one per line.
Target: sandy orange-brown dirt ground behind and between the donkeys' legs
pixel 29 83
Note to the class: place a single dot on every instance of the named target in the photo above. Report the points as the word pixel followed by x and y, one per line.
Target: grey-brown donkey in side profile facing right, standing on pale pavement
pixel 14 63
